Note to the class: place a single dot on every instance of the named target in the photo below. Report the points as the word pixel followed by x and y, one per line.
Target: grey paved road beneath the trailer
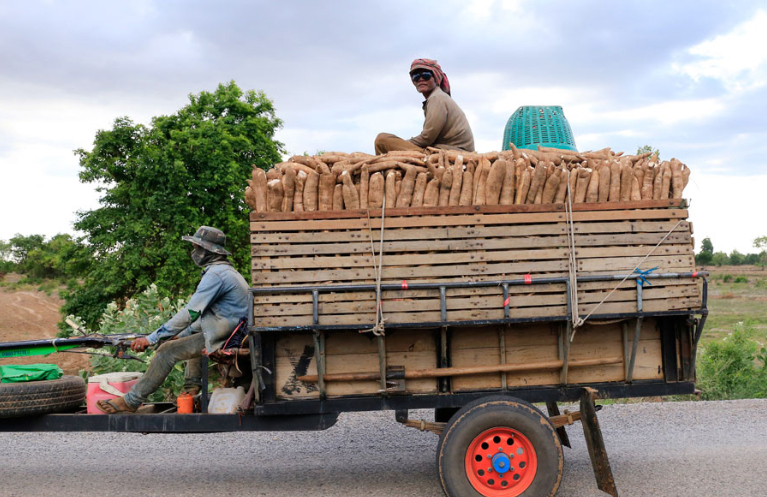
pixel 656 449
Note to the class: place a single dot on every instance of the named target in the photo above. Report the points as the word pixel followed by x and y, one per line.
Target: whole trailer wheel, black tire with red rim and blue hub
pixel 499 447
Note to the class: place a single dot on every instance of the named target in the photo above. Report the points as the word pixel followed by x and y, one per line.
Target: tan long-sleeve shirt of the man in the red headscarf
pixel 445 125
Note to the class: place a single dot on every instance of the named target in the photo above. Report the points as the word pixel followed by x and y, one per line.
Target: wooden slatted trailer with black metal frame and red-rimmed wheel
pixel 477 313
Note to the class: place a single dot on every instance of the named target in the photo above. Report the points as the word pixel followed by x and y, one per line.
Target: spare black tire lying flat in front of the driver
pixel 41 397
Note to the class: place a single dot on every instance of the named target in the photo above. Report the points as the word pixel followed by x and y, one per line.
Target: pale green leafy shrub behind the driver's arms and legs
pixel 142 314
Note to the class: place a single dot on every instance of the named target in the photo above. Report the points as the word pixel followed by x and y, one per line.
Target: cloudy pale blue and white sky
pixel 686 77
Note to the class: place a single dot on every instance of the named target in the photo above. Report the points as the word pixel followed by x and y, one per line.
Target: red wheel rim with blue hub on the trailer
pixel 501 462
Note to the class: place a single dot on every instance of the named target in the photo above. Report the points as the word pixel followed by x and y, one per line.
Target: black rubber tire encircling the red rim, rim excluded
pixel 505 413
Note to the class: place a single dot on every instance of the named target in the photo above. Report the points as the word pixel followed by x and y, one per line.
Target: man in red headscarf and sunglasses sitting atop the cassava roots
pixel 445 125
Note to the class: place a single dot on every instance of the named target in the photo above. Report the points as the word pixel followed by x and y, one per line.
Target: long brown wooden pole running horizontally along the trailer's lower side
pixel 467 371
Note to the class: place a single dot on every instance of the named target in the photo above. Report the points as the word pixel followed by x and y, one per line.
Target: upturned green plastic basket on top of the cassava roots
pixel 531 126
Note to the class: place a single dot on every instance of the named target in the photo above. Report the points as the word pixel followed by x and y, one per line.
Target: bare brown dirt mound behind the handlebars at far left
pixel 32 315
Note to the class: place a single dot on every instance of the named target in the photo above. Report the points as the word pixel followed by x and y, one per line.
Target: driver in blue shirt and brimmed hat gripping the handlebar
pixel 214 311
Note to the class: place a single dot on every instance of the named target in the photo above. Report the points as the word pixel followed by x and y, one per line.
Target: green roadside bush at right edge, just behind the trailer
pixel 734 367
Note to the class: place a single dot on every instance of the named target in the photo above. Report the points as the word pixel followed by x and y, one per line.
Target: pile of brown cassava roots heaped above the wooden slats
pixel 336 181
